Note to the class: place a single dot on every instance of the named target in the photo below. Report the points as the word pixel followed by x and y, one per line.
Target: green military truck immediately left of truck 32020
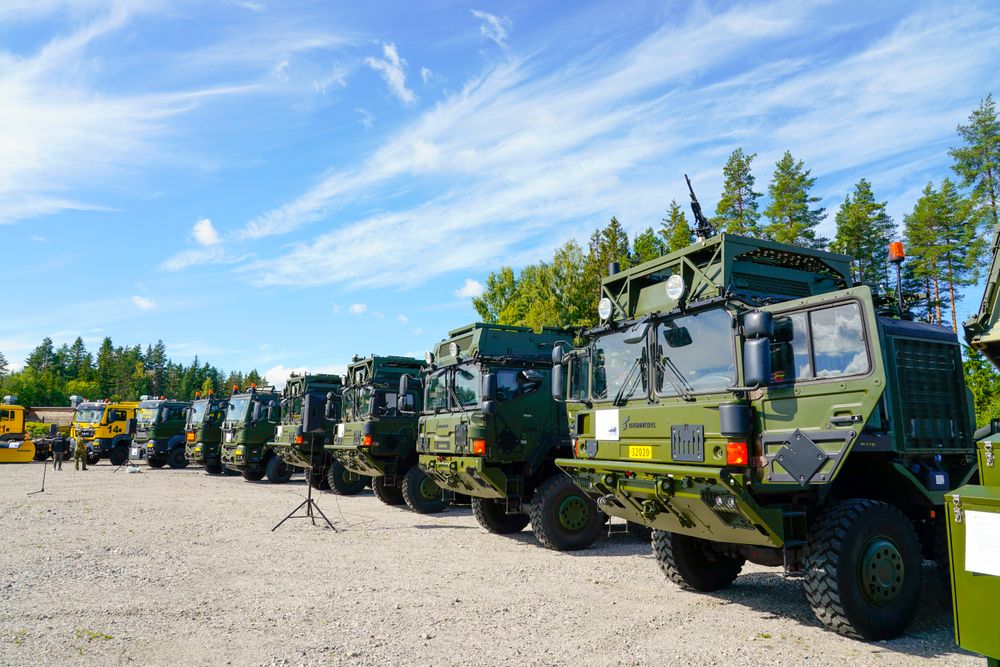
pixel 490 429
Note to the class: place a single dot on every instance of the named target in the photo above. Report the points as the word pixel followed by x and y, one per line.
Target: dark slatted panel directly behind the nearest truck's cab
pixel 929 406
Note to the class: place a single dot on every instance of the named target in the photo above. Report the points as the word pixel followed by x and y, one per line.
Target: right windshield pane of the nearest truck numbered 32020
pixel 694 354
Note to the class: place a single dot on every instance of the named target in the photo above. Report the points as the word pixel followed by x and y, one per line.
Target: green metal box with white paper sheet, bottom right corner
pixel 974 539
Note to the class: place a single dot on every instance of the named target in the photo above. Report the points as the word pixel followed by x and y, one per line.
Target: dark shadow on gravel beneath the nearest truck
pixel 929 635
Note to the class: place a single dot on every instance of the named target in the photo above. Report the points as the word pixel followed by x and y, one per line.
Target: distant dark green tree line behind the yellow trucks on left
pixel 121 373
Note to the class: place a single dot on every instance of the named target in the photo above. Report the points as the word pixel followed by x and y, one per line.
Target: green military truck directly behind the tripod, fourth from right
pixel 303 430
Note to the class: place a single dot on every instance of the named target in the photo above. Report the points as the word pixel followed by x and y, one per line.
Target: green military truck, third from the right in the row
pixel 376 439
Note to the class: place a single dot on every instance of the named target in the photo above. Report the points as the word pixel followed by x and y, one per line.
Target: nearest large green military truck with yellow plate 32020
pixel 748 402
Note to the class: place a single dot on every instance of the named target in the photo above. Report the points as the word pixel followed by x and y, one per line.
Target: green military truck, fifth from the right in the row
pixel 246 432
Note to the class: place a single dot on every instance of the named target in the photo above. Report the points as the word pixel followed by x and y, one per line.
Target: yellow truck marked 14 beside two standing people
pixel 105 428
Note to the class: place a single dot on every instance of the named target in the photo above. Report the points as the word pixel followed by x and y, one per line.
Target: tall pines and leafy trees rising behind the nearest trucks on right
pixel 944 235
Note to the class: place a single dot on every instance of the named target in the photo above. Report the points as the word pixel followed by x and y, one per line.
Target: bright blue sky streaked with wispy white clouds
pixel 282 184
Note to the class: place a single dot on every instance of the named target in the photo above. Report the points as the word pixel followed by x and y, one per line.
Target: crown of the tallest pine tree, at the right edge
pixel 978 160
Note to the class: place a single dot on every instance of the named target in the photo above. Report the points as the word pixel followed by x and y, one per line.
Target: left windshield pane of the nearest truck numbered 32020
pixel 619 368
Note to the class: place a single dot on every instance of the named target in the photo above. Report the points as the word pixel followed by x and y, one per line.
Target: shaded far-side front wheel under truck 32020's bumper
pixel 694 563
